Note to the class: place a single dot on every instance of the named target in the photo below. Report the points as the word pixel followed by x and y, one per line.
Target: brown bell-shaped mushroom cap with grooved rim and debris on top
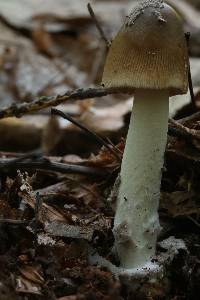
pixel 149 51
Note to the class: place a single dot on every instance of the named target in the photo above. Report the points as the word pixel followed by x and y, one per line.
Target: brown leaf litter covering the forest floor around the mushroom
pixel 50 220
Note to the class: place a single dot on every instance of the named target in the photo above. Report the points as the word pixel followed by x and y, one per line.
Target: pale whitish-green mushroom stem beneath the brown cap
pixel 136 224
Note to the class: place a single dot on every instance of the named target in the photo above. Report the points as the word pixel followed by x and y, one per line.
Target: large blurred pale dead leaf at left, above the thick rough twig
pixel 29 72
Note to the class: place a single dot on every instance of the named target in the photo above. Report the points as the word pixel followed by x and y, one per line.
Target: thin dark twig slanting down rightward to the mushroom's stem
pixel 96 137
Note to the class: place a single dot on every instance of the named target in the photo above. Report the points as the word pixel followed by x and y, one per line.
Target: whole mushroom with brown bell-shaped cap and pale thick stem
pixel 148 58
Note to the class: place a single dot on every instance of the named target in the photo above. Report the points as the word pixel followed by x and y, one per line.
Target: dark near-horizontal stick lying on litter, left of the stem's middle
pixel 51 166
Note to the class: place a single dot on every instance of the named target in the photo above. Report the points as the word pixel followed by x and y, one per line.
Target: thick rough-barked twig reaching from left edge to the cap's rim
pixel 17 110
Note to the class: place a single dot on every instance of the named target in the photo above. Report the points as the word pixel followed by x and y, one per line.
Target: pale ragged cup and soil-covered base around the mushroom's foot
pixel 151 280
